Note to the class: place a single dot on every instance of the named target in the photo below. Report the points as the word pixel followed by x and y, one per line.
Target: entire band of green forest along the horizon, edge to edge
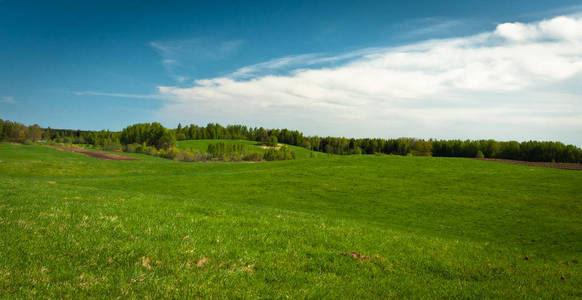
pixel 151 138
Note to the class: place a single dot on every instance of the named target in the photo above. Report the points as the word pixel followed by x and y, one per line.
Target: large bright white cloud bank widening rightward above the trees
pixel 519 81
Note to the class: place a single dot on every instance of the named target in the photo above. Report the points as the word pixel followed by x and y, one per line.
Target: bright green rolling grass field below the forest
pixel 75 226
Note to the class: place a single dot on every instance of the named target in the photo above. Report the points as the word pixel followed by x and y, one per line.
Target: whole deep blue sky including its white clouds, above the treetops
pixel 346 68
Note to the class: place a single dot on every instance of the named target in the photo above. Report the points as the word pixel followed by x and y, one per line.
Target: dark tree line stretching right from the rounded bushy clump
pixel 528 151
